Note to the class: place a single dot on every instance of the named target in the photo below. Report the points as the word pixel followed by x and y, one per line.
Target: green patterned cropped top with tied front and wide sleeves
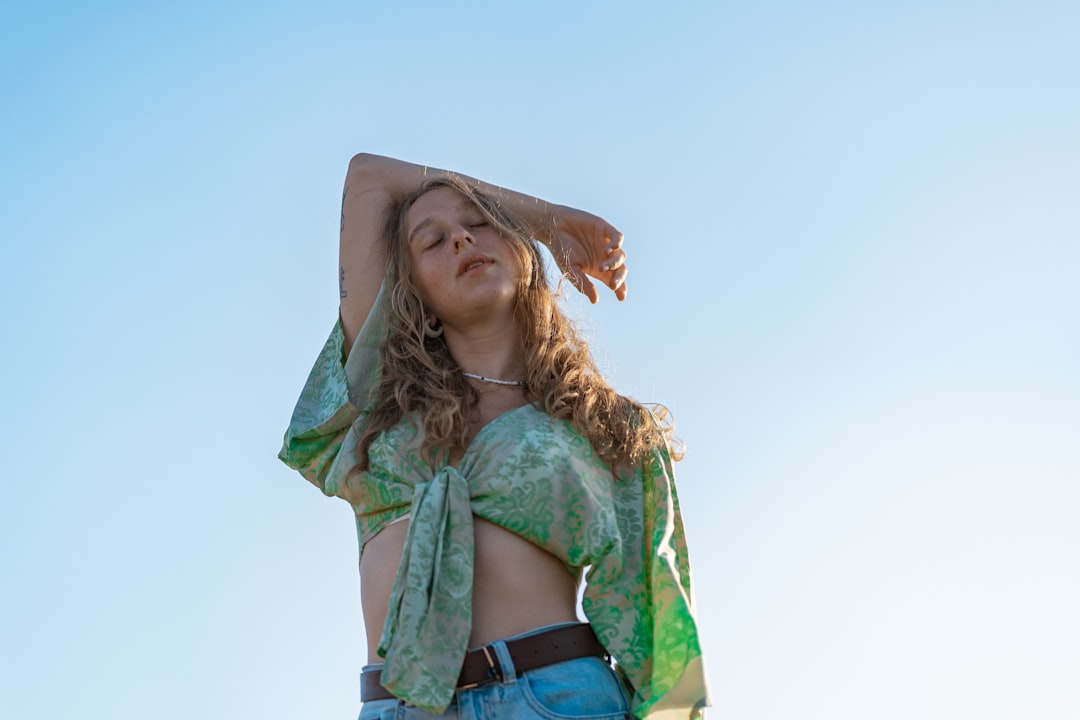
pixel 531 474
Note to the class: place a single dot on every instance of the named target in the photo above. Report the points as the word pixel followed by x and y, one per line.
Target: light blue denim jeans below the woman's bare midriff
pixel 583 689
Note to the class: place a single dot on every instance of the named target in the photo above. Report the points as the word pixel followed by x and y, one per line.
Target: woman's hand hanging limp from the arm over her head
pixel 586 246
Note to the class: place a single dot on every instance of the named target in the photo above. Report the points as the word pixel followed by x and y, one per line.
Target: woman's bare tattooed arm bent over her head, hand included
pixel 582 243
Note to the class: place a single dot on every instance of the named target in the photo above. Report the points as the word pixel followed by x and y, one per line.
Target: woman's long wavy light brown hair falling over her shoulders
pixel 421 376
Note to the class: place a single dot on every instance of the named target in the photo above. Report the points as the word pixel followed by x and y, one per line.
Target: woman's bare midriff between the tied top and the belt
pixel 518 587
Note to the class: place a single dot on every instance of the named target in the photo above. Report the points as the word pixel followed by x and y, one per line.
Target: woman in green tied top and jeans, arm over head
pixel 489 464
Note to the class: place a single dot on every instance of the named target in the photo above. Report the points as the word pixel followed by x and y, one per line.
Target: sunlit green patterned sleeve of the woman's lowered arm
pixel 641 602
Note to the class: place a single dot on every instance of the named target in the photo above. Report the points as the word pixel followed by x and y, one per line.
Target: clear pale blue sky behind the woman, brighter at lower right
pixel 854 241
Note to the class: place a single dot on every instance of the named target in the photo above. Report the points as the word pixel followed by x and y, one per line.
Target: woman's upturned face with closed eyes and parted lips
pixel 464 269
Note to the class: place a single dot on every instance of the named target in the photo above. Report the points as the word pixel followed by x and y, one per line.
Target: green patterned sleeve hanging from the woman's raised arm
pixel 322 438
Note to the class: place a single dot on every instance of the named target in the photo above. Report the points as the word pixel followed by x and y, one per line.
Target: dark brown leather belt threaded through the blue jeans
pixel 529 654
